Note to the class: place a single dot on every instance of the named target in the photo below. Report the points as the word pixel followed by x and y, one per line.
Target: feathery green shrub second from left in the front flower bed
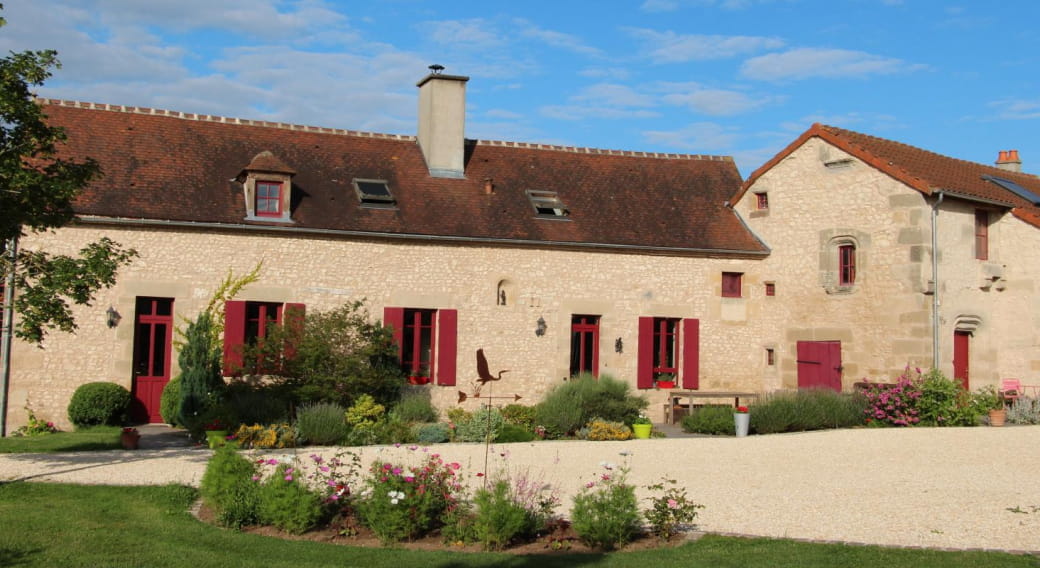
pixel 288 504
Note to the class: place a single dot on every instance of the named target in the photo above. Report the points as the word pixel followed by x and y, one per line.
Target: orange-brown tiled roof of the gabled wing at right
pixel 922 170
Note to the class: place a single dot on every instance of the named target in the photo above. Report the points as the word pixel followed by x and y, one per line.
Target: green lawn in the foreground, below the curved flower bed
pixel 50 525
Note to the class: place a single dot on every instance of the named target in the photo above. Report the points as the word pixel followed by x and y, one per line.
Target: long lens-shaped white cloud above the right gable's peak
pixel 808 63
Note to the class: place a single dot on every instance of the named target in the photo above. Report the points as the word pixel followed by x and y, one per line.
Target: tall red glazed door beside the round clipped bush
pixel 152 339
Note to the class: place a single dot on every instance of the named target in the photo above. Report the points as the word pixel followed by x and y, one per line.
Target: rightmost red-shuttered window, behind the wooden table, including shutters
pixel 668 347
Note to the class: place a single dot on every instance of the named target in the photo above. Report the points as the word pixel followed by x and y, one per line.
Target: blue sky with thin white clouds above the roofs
pixel 725 78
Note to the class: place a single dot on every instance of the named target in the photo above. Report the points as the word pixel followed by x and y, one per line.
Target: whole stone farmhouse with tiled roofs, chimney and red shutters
pixel 818 271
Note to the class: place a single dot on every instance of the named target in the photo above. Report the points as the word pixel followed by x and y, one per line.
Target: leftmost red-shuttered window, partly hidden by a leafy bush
pixel 247 324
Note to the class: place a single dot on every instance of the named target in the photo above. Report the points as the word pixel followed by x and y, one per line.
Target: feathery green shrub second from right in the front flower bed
pixel 606 513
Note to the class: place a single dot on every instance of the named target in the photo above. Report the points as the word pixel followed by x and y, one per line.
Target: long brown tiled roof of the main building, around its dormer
pixel 180 168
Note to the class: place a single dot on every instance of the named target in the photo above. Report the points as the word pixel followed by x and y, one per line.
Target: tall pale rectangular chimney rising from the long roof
pixel 443 121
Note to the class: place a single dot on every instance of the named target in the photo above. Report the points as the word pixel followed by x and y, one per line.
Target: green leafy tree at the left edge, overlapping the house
pixel 37 193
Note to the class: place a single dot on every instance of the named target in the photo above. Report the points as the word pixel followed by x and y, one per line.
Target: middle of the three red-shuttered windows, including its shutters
pixel 427 343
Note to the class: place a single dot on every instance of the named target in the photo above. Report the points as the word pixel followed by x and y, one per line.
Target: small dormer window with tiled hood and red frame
pixel 268 189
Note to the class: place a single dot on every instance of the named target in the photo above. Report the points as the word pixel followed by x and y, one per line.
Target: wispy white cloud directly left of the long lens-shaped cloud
pixel 668 47
